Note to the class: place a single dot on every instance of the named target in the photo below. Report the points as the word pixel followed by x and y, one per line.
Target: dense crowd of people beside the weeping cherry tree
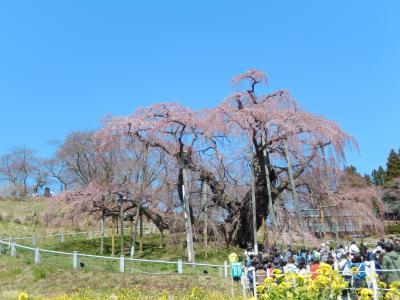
pixel 383 258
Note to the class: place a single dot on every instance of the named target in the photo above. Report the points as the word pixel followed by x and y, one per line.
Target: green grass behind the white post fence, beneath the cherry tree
pixel 150 251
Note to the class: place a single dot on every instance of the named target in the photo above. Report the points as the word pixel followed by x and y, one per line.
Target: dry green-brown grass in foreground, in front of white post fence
pixel 43 281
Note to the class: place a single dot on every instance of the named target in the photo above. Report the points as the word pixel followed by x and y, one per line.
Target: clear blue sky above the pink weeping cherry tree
pixel 65 64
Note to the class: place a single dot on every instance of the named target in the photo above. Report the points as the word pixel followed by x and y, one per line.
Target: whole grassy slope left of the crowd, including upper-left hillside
pixel 54 276
